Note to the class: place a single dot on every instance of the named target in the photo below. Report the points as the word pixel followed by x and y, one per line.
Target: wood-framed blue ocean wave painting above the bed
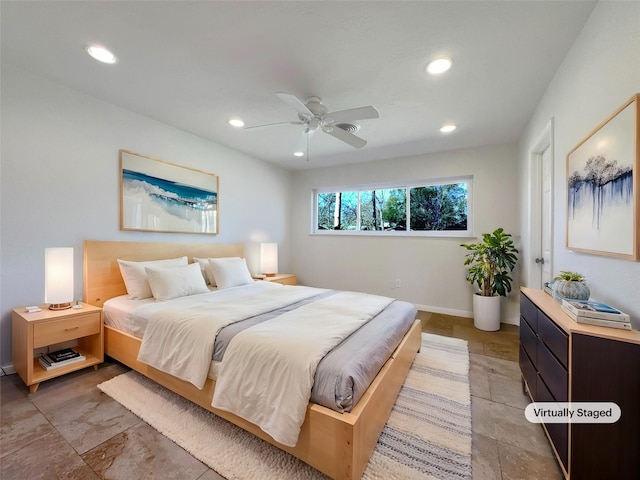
pixel 159 196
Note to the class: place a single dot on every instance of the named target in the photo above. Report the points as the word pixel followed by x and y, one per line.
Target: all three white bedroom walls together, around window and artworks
pixel 59 185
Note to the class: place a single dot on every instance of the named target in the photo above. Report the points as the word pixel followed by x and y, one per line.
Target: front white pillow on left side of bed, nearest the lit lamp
pixel 173 282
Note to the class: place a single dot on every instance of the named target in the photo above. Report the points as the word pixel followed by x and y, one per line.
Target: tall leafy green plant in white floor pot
pixel 492 261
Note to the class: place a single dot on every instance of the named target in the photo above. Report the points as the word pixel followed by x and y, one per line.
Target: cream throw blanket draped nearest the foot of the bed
pixel 268 370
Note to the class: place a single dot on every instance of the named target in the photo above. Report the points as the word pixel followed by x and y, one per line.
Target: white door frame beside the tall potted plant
pixel 534 219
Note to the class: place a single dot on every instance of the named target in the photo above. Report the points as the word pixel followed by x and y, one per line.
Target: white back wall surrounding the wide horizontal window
pixel 431 269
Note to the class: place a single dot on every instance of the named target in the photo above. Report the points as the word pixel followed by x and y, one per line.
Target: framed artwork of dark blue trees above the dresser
pixel 603 188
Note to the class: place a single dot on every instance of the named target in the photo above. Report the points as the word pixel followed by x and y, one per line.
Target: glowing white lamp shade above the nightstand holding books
pixel 58 275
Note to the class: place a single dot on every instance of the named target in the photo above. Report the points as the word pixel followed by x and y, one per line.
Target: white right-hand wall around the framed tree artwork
pixel 600 73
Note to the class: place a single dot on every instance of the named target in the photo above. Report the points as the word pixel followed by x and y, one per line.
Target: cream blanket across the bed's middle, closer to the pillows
pixel 180 335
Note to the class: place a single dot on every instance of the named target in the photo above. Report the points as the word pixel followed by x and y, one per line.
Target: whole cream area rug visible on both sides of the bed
pixel 427 436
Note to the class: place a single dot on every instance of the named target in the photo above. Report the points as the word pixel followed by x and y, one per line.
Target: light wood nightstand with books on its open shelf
pixel 33 331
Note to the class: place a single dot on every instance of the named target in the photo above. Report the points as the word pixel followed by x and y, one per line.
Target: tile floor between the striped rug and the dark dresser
pixel 505 444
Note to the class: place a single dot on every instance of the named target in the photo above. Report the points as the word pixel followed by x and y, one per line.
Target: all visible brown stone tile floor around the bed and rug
pixel 68 429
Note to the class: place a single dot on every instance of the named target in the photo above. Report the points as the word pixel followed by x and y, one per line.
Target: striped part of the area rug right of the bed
pixel 428 434
